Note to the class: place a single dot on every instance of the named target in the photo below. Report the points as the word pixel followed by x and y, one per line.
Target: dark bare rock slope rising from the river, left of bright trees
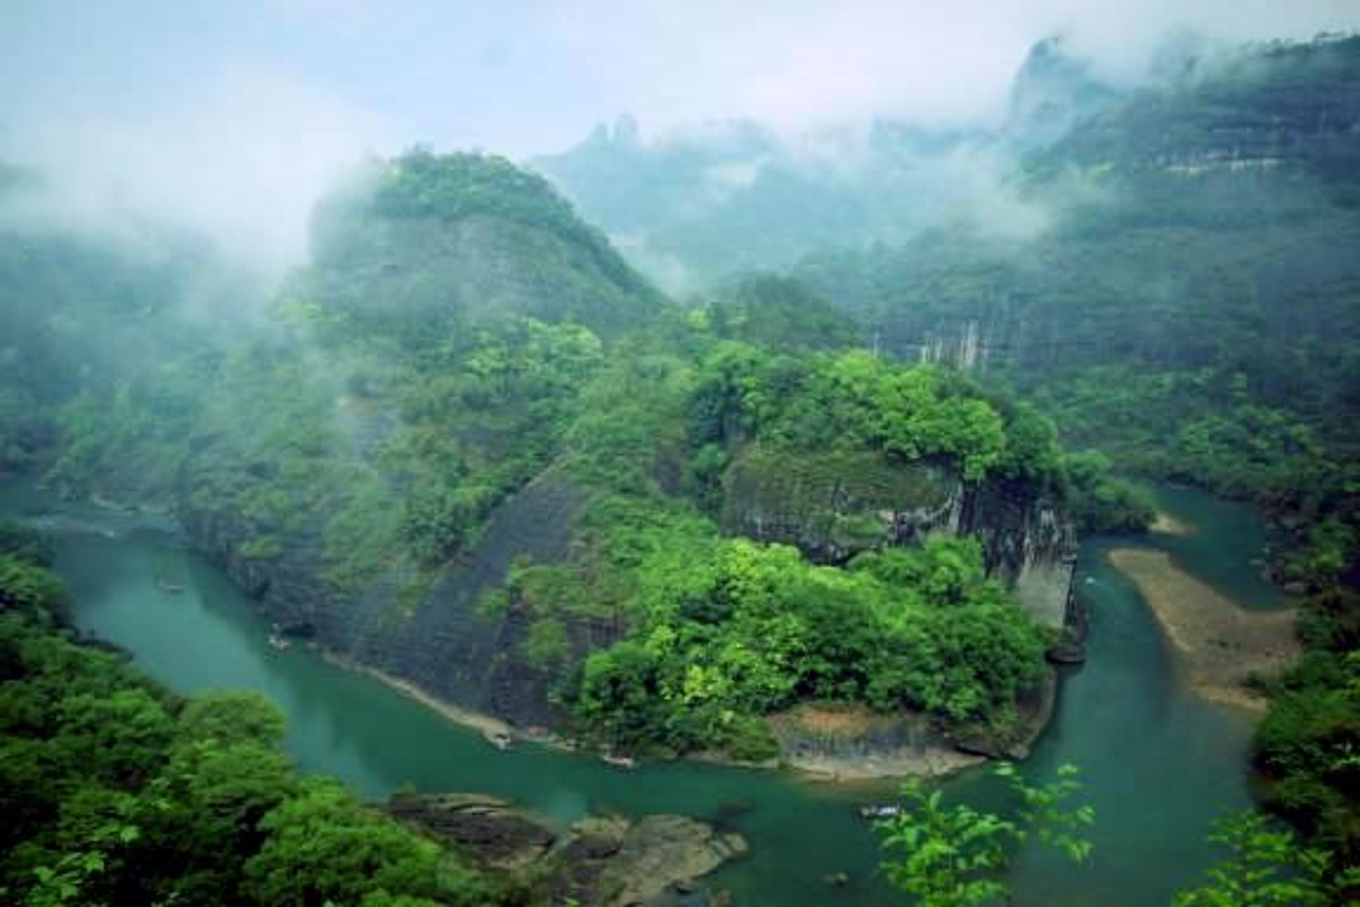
pixel 437 640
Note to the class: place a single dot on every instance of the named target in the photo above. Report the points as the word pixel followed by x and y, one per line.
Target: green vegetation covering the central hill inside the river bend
pixel 459 341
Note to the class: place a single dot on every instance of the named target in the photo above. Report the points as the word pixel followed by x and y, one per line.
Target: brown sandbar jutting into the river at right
pixel 1221 644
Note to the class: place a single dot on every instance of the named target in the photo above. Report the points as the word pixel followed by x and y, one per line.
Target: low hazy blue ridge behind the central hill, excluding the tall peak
pixel 731 198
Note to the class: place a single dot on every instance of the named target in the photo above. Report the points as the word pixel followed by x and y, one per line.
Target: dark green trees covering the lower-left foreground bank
pixel 119 792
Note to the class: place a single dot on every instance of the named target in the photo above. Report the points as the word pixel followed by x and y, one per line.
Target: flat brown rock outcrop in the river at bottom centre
pixel 609 861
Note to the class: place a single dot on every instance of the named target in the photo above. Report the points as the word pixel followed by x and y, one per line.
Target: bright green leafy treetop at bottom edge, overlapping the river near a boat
pixel 954 856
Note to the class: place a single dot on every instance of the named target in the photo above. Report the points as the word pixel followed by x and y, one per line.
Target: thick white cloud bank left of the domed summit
pixel 241 160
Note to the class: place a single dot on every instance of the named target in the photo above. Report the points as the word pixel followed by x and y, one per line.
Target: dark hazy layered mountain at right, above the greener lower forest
pixel 1212 236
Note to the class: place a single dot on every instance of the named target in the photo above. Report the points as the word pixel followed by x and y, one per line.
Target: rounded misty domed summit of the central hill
pixel 451 239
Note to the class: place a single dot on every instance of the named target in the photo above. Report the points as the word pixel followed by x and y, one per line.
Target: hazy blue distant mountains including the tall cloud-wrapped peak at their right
pixel 704 205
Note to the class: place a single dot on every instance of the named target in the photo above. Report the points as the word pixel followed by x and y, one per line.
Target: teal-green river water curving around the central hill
pixel 1159 765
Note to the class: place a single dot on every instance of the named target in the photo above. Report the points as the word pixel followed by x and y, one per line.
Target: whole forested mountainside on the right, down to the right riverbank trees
pixel 1193 318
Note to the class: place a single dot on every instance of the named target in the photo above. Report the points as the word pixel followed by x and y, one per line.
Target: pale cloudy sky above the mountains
pixel 240 112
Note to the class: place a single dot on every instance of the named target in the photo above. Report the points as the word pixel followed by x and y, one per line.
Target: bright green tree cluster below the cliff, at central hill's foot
pixel 749 629
